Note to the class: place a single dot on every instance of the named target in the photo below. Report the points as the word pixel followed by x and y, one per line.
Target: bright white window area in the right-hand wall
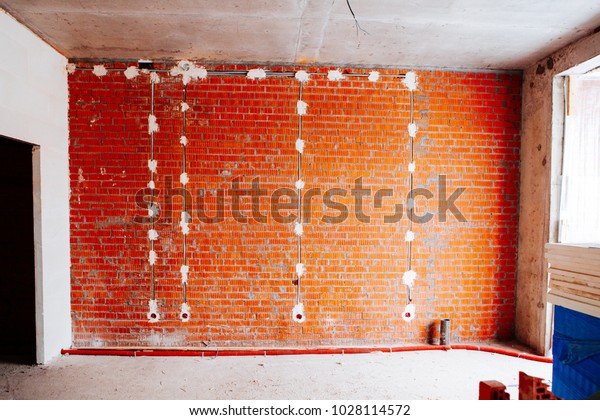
pixel 580 193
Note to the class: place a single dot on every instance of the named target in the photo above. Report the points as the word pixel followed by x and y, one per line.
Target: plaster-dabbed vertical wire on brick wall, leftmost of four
pixel 153 314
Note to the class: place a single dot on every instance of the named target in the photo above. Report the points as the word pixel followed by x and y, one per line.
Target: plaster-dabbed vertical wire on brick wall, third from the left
pixel 298 311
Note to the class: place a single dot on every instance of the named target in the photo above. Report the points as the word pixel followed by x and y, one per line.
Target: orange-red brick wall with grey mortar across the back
pixel 240 288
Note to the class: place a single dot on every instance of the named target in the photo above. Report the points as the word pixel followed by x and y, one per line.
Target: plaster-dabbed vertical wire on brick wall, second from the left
pixel 185 217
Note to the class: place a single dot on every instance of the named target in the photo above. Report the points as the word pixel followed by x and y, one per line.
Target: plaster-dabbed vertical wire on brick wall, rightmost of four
pixel 409 276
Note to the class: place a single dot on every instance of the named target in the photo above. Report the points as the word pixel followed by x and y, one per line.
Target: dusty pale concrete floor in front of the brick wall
pixel 419 375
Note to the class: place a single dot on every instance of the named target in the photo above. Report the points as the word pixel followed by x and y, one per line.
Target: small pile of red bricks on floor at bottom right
pixel 530 388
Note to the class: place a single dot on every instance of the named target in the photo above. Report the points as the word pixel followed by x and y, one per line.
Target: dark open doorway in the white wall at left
pixel 17 257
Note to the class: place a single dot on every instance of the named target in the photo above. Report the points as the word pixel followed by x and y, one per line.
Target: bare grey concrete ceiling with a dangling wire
pixel 475 34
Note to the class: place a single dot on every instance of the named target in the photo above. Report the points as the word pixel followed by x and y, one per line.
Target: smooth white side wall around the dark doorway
pixel 33 108
